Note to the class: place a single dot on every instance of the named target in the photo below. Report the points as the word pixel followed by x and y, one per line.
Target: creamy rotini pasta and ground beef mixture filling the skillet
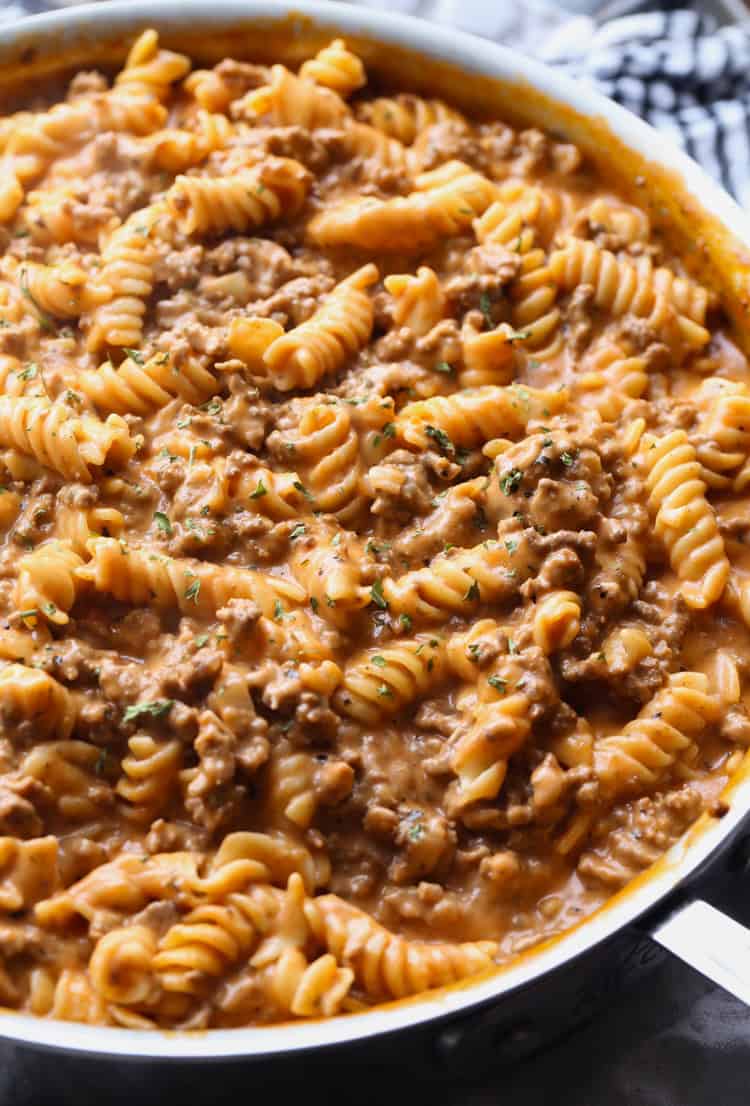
pixel 373 599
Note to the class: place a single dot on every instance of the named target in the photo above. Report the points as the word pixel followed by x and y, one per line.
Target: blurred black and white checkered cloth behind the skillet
pixel 689 77
